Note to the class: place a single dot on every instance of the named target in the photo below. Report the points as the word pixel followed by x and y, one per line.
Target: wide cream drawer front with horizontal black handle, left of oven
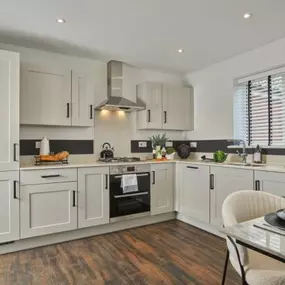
pixel 48 176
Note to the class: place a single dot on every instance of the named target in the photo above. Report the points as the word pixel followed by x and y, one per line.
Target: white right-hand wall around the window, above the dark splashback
pixel 214 88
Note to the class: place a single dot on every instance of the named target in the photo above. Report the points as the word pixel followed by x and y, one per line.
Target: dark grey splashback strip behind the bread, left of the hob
pixel 28 147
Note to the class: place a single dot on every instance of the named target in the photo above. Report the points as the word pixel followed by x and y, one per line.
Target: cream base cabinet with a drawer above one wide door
pixel 48 201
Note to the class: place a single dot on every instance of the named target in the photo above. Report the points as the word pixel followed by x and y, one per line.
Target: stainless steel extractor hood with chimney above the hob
pixel 115 100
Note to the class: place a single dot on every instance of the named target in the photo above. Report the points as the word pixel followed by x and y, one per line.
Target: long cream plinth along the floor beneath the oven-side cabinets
pixel 83 233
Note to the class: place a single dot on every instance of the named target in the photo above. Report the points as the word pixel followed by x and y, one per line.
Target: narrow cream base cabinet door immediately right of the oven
pixel 162 189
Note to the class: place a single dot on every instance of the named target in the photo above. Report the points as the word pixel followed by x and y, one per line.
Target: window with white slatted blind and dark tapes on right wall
pixel 259 109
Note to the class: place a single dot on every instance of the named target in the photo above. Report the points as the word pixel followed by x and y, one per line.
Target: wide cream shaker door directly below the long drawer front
pixel 48 208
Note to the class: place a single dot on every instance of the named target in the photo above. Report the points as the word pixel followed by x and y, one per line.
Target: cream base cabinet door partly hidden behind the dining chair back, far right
pixel 271 182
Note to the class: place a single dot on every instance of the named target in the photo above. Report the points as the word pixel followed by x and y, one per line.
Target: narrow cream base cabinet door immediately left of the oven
pixel 93 196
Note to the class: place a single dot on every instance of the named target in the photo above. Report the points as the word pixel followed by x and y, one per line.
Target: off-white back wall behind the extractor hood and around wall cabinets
pixel 116 128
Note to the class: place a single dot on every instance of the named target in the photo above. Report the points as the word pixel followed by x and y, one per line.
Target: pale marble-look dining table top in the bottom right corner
pixel 259 236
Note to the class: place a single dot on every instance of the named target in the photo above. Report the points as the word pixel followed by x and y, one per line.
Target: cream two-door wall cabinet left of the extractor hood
pixel 58 96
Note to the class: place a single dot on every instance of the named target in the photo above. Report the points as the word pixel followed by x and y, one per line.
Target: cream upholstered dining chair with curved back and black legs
pixel 253 267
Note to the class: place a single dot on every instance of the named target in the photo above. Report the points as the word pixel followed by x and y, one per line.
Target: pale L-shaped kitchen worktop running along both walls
pixel 267 167
